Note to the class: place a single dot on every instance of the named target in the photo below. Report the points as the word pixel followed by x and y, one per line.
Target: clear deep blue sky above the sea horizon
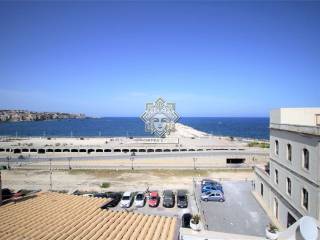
pixel 110 58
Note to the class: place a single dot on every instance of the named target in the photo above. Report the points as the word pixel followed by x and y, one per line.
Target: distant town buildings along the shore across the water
pixel 23 115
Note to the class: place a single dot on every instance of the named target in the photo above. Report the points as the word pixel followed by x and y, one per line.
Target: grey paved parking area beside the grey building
pixel 239 214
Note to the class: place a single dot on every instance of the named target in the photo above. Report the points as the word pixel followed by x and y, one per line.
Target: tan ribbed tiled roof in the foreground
pixel 65 217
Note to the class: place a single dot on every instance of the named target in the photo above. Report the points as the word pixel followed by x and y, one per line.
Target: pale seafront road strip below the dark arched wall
pixel 188 160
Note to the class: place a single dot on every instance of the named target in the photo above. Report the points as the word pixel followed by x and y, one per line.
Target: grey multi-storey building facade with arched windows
pixel 289 186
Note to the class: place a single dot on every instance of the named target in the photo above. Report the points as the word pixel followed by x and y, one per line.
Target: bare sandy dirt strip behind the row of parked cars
pixel 121 180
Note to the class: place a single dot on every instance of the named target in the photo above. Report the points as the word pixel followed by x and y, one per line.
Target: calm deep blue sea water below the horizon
pixel 127 126
